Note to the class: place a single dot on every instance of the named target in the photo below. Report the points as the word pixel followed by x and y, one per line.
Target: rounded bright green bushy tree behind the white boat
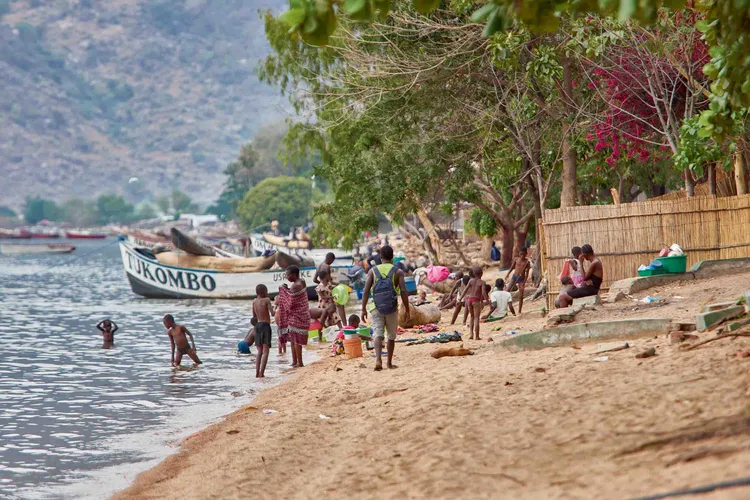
pixel 286 199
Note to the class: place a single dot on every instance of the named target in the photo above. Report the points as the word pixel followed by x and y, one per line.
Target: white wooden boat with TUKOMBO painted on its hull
pixel 150 278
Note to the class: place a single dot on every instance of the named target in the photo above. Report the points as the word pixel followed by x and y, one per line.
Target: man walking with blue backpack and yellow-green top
pixel 386 282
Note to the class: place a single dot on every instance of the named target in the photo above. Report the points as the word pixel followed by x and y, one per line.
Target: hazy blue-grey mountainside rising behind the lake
pixel 95 92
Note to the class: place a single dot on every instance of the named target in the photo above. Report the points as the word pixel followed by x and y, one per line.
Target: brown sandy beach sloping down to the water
pixel 552 423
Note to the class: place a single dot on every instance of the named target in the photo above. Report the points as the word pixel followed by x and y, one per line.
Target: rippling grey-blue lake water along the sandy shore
pixel 79 421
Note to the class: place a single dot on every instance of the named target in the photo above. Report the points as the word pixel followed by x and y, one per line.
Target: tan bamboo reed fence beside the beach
pixel 628 235
